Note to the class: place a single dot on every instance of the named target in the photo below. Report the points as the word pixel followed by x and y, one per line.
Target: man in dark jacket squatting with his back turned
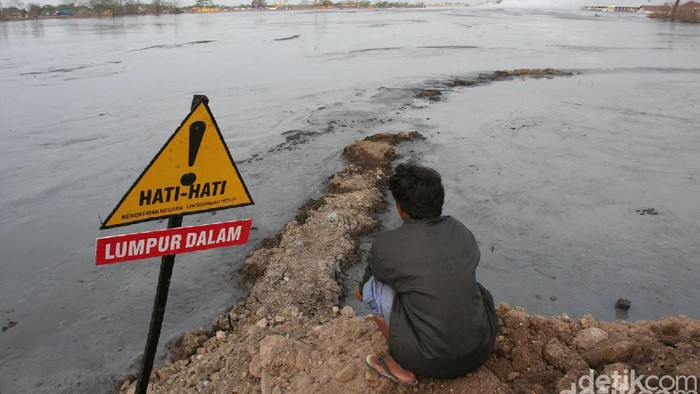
pixel 421 288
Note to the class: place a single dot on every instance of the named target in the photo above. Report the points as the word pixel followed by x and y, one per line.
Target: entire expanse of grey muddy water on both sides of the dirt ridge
pixel 549 173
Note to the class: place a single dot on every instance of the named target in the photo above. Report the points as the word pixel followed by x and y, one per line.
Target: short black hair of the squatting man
pixel 418 190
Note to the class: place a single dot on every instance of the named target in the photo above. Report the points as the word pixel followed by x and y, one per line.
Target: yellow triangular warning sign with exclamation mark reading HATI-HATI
pixel 194 172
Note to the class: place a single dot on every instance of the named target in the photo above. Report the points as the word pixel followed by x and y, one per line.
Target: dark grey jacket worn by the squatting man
pixel 443 322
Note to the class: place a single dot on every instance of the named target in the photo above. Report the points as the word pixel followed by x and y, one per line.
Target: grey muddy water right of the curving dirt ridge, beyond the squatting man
pixel 559 185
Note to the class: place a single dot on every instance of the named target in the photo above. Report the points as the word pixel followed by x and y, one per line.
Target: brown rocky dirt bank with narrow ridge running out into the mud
pixel 289 335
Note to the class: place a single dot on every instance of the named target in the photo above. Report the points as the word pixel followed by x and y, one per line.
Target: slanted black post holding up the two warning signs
pixel 166 271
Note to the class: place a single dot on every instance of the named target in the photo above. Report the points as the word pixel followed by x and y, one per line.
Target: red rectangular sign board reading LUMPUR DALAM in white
pixel 136 246
